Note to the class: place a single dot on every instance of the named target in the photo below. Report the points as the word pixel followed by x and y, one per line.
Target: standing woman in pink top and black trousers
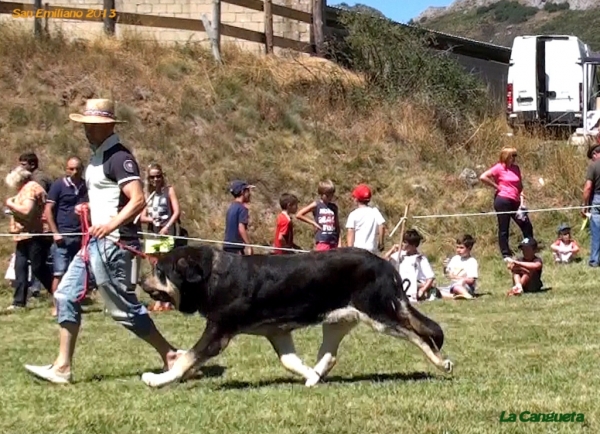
pixel 505 178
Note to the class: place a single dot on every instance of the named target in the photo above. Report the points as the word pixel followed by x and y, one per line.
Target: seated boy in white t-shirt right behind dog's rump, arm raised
pixel 413 266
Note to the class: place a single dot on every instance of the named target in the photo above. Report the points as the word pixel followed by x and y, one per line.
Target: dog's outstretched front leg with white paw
pixel 211 343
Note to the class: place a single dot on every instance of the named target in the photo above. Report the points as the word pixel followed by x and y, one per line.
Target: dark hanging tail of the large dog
pixel 410 318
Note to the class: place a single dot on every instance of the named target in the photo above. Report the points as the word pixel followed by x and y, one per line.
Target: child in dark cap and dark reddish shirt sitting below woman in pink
pixel 526 270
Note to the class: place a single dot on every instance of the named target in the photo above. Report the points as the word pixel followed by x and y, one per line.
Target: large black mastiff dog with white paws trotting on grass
pixel 272 295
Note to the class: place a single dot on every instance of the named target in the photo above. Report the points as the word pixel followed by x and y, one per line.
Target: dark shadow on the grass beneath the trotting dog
pixel 373 378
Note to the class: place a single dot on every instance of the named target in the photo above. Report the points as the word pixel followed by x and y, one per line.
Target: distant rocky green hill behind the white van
pixel 500 21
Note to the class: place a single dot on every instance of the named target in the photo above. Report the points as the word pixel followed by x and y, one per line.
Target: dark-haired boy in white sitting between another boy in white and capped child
pixel 462 269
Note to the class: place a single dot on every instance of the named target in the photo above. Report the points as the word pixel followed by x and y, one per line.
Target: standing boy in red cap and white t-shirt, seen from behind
pixel 365 225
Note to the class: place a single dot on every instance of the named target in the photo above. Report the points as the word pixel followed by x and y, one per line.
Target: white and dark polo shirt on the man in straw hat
pixel 111 167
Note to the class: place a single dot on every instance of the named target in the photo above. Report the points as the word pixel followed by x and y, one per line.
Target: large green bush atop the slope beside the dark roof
pixel 398 63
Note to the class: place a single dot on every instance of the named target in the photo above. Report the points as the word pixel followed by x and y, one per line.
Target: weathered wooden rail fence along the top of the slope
pixel 214 28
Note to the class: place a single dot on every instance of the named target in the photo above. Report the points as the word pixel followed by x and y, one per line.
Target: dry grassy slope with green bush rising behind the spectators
pixel 404 122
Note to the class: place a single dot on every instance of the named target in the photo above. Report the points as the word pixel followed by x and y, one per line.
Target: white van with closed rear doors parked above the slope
pixel 545 81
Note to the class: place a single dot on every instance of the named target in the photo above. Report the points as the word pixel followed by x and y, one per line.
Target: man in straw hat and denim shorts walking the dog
pixel 116 197
